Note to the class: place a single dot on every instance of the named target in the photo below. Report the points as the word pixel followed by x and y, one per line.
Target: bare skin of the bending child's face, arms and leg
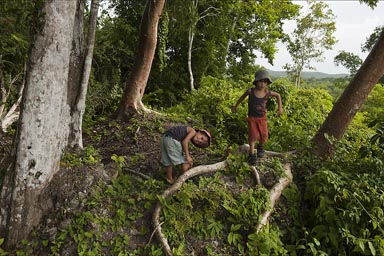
pixel 198 138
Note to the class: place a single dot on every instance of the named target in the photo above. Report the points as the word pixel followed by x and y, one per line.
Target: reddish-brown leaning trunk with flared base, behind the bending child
pixel 135 87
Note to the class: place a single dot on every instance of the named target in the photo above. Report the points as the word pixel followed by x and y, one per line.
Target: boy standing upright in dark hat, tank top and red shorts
pixel 257 113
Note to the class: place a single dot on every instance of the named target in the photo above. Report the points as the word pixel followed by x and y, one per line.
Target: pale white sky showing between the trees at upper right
pixel 354 23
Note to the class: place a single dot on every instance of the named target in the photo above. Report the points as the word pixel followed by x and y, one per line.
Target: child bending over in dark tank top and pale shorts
pixel 174 147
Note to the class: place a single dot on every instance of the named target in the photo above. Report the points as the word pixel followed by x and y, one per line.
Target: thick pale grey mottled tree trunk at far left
pixel 43 128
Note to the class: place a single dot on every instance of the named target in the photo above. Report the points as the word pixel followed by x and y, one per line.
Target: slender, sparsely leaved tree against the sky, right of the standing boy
pixel 313 34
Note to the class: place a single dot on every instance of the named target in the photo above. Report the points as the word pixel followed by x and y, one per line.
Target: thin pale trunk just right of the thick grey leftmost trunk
pixel 76 138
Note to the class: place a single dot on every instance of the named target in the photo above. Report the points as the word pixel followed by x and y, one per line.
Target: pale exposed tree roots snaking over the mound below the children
pixel 275 192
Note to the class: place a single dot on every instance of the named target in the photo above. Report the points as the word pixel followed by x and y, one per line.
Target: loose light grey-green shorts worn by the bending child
pixel 171 151
